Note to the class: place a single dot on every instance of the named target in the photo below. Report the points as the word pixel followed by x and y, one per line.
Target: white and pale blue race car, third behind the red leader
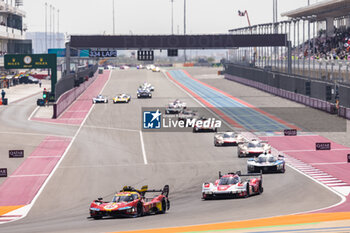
pixel 266 163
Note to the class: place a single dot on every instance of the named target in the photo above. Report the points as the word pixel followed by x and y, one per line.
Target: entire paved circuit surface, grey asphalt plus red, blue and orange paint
pixel 105 149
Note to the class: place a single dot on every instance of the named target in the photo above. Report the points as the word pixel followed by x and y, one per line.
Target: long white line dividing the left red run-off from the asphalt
pixel 25 210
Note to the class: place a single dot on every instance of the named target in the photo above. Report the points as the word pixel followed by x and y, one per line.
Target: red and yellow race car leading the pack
pixel 131 202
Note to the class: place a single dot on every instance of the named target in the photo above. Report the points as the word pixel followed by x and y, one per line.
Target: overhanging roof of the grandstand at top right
pixel 322 10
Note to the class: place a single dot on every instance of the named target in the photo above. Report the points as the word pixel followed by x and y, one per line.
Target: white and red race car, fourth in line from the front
pixel 253 147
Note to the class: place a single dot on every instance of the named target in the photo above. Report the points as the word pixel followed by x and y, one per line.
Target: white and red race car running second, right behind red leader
pixel 232 185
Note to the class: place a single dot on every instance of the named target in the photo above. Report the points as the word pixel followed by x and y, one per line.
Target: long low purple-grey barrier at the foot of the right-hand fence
pixel 302 99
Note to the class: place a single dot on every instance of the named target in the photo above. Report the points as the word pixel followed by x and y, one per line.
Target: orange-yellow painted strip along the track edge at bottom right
pixel 263 222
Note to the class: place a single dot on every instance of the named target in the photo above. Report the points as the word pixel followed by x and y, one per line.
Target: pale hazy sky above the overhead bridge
pixel 152 16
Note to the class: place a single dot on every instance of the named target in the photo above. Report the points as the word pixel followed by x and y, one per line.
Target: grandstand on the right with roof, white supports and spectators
pixel 320 42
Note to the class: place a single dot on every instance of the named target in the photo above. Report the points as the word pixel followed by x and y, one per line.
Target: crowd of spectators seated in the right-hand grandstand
pixel 334 47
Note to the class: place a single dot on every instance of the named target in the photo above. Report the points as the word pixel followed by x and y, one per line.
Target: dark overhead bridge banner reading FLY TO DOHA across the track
pixel 219 41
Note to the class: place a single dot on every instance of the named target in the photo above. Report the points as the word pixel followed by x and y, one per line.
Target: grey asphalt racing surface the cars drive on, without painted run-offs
pixel 107 154
